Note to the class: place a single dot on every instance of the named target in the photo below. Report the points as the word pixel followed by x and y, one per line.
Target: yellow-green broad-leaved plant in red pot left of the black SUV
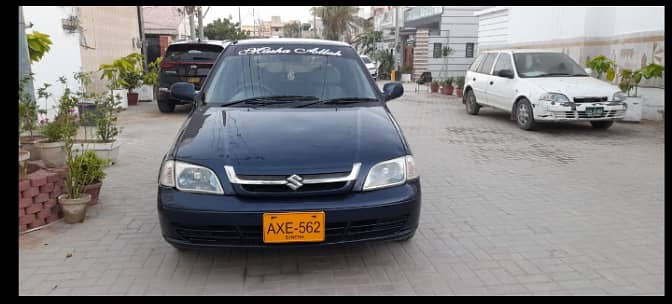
pixel 126 72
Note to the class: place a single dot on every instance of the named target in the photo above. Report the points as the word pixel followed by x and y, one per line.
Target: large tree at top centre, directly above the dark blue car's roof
pixel 337 20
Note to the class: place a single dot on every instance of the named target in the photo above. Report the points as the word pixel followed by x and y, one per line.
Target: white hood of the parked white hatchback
pixel 575 86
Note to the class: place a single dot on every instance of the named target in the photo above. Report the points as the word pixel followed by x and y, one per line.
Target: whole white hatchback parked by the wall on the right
pixel 538 86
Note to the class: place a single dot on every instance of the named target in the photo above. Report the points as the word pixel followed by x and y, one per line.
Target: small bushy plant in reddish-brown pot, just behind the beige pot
pixel 91 167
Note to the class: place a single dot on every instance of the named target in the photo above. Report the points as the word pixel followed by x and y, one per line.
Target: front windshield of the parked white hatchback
pixel 546 65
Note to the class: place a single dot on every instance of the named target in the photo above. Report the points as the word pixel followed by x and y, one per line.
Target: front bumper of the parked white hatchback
pixel 569 111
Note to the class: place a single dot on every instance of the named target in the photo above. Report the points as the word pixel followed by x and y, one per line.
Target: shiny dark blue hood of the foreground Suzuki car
pixel 277 141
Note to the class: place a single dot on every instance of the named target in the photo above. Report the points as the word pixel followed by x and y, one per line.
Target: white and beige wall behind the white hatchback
pixel 631 36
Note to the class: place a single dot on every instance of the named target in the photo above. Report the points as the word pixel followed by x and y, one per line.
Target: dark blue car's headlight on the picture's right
pixel 391 173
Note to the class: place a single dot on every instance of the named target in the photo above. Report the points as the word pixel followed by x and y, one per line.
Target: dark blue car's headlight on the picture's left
pixel 189 177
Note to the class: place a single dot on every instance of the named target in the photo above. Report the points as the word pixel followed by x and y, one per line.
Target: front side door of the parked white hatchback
pixel 501 88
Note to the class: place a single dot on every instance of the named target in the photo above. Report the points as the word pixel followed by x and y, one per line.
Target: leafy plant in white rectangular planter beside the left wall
pixel 106 145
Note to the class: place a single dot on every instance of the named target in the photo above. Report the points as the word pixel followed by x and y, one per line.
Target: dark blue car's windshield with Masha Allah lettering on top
pixel 277 77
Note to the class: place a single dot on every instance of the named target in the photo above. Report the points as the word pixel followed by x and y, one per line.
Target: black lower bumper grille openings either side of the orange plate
pixel 252 235
